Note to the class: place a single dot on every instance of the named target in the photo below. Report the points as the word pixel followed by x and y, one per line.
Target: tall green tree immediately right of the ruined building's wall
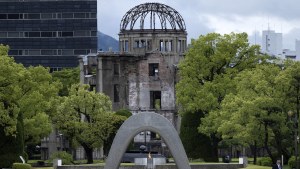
pixel 207 71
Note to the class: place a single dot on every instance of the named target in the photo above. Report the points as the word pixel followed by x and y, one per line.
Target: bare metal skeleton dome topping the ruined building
pixel 165 14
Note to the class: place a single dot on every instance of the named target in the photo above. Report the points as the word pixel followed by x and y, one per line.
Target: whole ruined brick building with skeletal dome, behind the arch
pixel 142 76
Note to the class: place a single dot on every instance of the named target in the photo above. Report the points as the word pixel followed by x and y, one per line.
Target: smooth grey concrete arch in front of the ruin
pixel 150 122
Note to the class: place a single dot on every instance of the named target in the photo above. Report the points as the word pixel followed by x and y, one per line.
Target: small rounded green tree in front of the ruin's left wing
pixel 85 117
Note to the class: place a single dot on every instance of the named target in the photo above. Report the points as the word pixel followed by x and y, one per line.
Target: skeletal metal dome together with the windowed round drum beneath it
pixel 152 27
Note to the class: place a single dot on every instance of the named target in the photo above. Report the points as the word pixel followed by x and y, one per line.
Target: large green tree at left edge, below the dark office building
pixel 26 101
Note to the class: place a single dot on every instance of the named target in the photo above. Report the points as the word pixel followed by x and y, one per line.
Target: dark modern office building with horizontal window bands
pixel 50 33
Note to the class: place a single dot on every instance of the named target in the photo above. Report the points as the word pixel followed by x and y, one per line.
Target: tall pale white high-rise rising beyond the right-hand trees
pixel 272 43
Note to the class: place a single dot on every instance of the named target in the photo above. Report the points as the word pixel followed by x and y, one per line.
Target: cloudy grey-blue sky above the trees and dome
pixel 221 16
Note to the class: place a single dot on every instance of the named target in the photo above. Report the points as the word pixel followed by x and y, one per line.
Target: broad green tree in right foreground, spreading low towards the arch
pixel 255 114
